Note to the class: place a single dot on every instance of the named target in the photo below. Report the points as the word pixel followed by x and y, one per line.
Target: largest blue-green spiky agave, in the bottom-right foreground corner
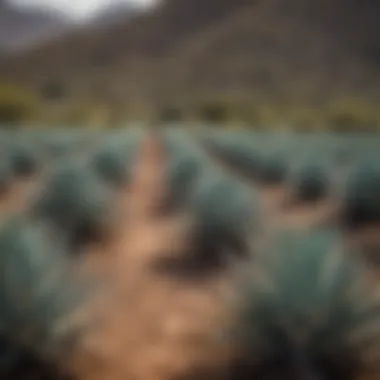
pixel 307 313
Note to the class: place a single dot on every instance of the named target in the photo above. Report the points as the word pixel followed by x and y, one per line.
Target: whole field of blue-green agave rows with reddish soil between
pixel 174 255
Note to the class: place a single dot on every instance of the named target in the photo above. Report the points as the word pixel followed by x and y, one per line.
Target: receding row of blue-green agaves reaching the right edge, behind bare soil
pixel 317 167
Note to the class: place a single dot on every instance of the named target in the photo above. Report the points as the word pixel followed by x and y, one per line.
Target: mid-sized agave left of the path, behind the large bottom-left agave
pixel 76 201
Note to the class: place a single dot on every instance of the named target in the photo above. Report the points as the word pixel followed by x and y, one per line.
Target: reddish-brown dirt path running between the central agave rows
pixel 154 326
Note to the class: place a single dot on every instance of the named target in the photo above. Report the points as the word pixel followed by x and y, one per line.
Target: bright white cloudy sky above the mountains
pixel 78 9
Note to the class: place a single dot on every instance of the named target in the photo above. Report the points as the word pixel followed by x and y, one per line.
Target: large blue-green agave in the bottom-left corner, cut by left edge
pixel 39 296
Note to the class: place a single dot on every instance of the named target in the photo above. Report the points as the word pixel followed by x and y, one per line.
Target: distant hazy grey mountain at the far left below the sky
pixel 20 28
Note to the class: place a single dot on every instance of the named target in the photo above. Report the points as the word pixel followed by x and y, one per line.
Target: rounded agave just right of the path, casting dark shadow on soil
pixel 226 215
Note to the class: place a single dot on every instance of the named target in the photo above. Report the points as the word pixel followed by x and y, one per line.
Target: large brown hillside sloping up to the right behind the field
pixel 182 50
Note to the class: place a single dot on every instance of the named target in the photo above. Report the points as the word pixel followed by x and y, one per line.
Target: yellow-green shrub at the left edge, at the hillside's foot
pixel 17 105
